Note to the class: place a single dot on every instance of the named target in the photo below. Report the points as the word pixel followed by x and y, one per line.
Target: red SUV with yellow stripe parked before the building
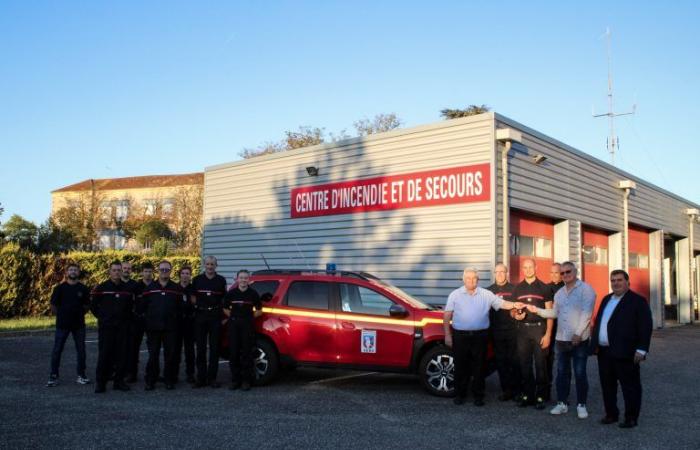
pixel 349 320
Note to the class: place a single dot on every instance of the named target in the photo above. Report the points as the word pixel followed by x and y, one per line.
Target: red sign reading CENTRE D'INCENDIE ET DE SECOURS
pixel 433 187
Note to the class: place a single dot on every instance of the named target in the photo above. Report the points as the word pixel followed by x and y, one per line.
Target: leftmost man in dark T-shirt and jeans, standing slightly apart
pixel 70 301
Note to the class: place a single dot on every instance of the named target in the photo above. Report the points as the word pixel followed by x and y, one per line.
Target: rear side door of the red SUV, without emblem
pixel 307 324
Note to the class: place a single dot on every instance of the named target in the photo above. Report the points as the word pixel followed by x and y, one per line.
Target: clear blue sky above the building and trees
pixel 112 89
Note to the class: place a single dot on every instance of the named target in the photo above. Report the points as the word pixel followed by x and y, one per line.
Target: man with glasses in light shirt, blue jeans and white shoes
pixel 573 306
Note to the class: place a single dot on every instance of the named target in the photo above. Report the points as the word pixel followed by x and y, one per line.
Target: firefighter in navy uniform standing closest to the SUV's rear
pixel 241 305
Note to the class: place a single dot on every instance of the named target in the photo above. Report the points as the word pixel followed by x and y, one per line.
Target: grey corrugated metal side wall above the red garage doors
pixel 573 185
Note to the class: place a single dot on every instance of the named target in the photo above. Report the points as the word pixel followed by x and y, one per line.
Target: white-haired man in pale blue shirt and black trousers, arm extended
pixel 468 309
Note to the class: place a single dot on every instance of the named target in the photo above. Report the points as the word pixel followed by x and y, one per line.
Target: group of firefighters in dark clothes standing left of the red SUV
pixel 176 316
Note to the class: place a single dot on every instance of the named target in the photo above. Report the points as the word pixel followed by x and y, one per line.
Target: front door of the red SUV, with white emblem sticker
pixel 366 333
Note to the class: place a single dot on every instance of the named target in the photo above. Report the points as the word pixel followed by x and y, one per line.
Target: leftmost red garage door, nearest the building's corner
pixel 530 237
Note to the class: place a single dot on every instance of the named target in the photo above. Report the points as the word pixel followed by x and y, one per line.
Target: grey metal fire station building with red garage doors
pixel 416 206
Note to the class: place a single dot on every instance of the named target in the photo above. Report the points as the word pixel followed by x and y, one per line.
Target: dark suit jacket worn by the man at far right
pixel 629 327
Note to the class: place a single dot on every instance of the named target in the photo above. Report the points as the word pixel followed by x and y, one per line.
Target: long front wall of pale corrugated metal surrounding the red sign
pixel 422 250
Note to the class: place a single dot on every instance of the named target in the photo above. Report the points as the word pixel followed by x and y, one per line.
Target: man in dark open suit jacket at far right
pixel 621 338
